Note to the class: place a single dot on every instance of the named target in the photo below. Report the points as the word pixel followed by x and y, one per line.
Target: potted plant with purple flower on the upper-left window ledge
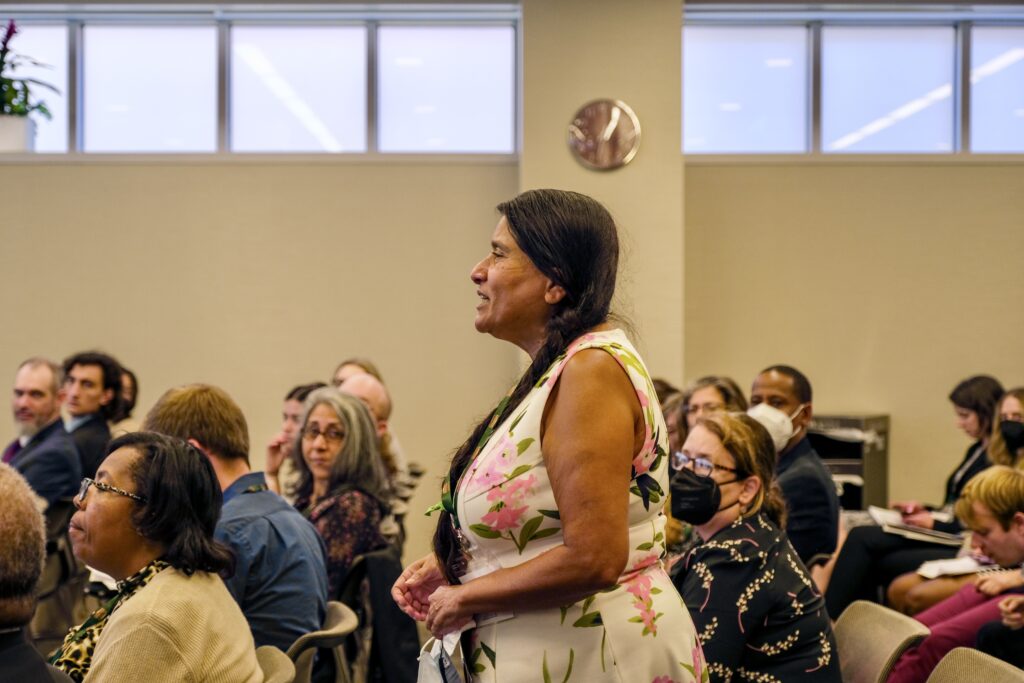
pixel 18 131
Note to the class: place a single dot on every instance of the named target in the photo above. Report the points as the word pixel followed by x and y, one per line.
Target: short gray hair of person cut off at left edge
pixel 23 550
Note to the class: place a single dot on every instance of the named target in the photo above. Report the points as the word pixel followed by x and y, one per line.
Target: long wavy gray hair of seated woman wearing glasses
pixel 360 464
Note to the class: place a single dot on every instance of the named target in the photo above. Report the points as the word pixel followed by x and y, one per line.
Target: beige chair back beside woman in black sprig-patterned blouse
pixel 871 638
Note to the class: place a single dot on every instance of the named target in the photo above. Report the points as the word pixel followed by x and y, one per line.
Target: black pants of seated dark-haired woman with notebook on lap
pixel 870 560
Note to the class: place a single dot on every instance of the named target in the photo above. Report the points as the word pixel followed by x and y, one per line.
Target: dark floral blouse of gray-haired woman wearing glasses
pixel 350 523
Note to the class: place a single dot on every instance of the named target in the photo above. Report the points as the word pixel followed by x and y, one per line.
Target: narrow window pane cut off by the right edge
pixel 998 90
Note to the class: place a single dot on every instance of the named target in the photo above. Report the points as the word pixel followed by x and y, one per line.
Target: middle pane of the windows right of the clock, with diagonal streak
pixel 887 90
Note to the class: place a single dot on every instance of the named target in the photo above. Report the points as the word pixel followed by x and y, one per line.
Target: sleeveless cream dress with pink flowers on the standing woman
pixel 636 631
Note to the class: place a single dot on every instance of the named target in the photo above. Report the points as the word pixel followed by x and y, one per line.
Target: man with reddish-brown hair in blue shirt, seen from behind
pixel 280 578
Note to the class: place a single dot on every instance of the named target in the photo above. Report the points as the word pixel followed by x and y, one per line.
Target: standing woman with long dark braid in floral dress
pixel 552 533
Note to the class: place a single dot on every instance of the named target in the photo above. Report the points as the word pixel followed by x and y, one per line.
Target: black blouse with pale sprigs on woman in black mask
pixel 758 614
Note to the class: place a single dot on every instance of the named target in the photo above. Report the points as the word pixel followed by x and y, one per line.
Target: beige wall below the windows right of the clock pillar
pixel 886 283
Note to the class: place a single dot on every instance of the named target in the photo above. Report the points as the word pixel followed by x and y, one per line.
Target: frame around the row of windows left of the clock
pixel 223 18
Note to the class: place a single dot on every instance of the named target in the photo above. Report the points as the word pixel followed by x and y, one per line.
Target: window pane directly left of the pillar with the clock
pixel 436 98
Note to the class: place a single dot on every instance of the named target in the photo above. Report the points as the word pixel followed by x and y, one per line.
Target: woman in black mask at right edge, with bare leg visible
pixel 912 593
